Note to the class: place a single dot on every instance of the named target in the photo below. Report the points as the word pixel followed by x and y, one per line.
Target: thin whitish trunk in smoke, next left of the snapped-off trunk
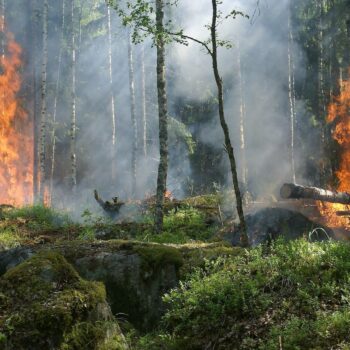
pixel 111 87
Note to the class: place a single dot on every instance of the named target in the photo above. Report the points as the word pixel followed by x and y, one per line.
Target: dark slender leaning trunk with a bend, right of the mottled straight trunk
pixel 228 145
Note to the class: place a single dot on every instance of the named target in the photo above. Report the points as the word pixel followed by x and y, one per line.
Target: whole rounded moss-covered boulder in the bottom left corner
pixel 46 305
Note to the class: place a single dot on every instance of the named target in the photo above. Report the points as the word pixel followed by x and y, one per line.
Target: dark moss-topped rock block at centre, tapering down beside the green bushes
pixel 136 275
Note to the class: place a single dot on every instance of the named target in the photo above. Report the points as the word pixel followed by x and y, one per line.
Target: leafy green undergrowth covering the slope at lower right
pixel 289 296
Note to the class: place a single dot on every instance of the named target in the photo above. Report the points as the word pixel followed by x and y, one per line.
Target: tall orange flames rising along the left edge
pixel 16 140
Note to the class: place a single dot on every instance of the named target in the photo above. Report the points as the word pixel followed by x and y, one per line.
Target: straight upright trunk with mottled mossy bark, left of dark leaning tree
pixel 163 119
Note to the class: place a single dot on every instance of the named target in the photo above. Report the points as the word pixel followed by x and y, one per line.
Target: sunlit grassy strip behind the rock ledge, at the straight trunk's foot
pixel 195 220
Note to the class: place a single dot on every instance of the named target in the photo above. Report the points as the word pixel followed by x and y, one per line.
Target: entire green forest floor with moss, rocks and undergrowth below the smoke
pixel 192 290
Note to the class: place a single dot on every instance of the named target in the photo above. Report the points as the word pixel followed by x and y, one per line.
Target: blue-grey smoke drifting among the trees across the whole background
pixel 261 42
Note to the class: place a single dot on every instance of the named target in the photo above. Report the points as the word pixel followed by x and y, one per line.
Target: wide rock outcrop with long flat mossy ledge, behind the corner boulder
pixel 136 275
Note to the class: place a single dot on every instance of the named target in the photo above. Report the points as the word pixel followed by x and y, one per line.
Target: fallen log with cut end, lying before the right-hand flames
pixel 298 192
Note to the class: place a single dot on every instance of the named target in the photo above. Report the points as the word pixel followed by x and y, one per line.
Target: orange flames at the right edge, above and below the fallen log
pixel 339 114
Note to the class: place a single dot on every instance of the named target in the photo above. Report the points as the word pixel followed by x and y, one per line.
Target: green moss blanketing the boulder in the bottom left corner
pixel 42 301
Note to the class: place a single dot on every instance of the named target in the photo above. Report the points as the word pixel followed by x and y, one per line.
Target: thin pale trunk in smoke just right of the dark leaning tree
pixel 242 118
